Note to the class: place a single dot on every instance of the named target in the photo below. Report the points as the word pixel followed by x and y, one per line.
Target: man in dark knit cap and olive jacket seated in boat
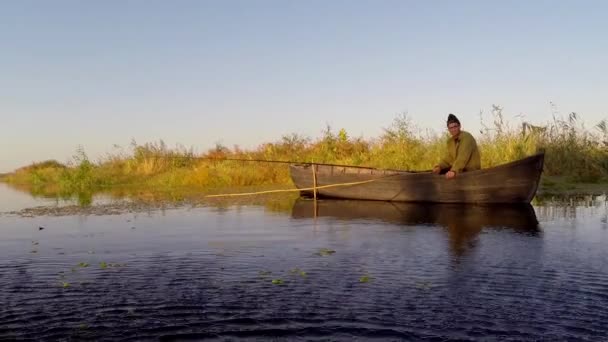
pixel 462 153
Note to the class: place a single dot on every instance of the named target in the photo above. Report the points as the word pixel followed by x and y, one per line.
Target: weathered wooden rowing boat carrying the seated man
pixel 514 182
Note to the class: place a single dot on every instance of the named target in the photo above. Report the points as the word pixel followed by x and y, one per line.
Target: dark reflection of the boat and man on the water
pixel 462 222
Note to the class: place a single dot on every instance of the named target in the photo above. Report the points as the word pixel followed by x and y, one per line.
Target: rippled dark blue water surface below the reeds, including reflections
pixel 340 270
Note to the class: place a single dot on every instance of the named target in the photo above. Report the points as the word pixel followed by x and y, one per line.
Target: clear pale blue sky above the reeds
pixel 99 73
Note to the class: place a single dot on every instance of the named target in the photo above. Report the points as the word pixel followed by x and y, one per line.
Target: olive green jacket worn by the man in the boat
pixel 462 154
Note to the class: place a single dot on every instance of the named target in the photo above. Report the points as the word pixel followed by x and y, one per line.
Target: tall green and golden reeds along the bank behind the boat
pixel 574 152
